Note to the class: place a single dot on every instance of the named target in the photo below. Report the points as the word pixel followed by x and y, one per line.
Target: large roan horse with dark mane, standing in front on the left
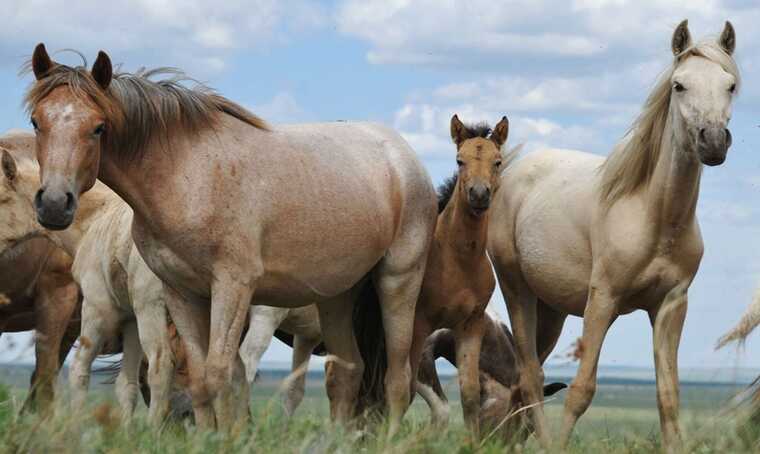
pixel 229 212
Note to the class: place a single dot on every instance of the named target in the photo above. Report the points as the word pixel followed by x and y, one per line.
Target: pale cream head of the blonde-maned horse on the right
pixel 702 88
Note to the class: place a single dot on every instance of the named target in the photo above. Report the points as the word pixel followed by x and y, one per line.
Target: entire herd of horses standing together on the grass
pixel 166 222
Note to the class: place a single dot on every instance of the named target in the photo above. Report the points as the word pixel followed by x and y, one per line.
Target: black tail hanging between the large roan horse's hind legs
pixel 368 330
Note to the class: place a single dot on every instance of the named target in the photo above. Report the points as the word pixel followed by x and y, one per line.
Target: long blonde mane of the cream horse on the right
pixel 631 164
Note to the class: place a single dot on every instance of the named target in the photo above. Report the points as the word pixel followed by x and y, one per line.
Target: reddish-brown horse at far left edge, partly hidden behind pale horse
pixel 38 293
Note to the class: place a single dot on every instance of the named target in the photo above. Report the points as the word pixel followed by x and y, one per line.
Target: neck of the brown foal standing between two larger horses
pixel 460 231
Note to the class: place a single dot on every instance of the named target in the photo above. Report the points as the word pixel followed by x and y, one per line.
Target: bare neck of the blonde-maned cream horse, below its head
pixel 674 188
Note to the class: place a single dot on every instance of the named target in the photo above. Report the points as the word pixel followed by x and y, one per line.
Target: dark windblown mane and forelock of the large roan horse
pixel 140 110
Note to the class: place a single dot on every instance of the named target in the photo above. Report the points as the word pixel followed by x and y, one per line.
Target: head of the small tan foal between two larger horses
pixel 479 159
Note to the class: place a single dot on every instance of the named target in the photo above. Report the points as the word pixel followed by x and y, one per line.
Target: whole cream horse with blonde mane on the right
pixel 573 233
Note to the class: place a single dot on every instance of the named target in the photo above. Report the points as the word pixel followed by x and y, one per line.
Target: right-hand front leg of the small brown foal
pixel 469 340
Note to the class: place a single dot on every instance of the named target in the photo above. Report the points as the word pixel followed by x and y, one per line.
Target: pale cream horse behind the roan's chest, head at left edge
pixel 121 295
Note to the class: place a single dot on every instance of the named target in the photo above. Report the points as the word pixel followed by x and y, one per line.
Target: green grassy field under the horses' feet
pixel 623 418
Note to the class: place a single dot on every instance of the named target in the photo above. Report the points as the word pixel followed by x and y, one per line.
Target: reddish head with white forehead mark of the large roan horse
pixel 71 114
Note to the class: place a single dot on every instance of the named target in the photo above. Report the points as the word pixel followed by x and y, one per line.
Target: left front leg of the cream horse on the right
pixel 601 311
